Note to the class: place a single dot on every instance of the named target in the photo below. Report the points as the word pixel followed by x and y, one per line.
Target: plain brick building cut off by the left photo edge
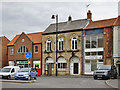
pixel 3 51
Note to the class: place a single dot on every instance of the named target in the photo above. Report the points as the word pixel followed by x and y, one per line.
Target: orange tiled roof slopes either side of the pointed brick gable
pixel 34 37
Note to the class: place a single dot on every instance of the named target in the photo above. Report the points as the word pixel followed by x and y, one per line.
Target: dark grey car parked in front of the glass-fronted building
pixel 105 72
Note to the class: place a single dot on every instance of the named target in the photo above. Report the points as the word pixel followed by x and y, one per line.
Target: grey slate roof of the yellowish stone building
pixel 67 26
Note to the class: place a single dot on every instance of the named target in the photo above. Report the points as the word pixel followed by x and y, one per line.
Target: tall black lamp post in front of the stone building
pixel 56 17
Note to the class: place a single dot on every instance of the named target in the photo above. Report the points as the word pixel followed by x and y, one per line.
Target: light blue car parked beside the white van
pixel 26 73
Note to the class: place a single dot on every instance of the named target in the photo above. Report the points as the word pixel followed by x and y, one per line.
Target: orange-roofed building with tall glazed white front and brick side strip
pixel 98 46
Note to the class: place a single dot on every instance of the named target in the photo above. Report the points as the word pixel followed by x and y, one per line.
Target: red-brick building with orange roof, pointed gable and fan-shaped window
pixel 25 43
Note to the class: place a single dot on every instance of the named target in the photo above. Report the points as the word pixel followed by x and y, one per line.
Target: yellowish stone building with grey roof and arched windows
pixel 69 50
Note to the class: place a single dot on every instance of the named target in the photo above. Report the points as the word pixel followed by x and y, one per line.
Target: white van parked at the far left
pixel 9 71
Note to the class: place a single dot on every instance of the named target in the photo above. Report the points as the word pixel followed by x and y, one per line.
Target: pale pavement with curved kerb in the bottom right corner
pixel 113 83
